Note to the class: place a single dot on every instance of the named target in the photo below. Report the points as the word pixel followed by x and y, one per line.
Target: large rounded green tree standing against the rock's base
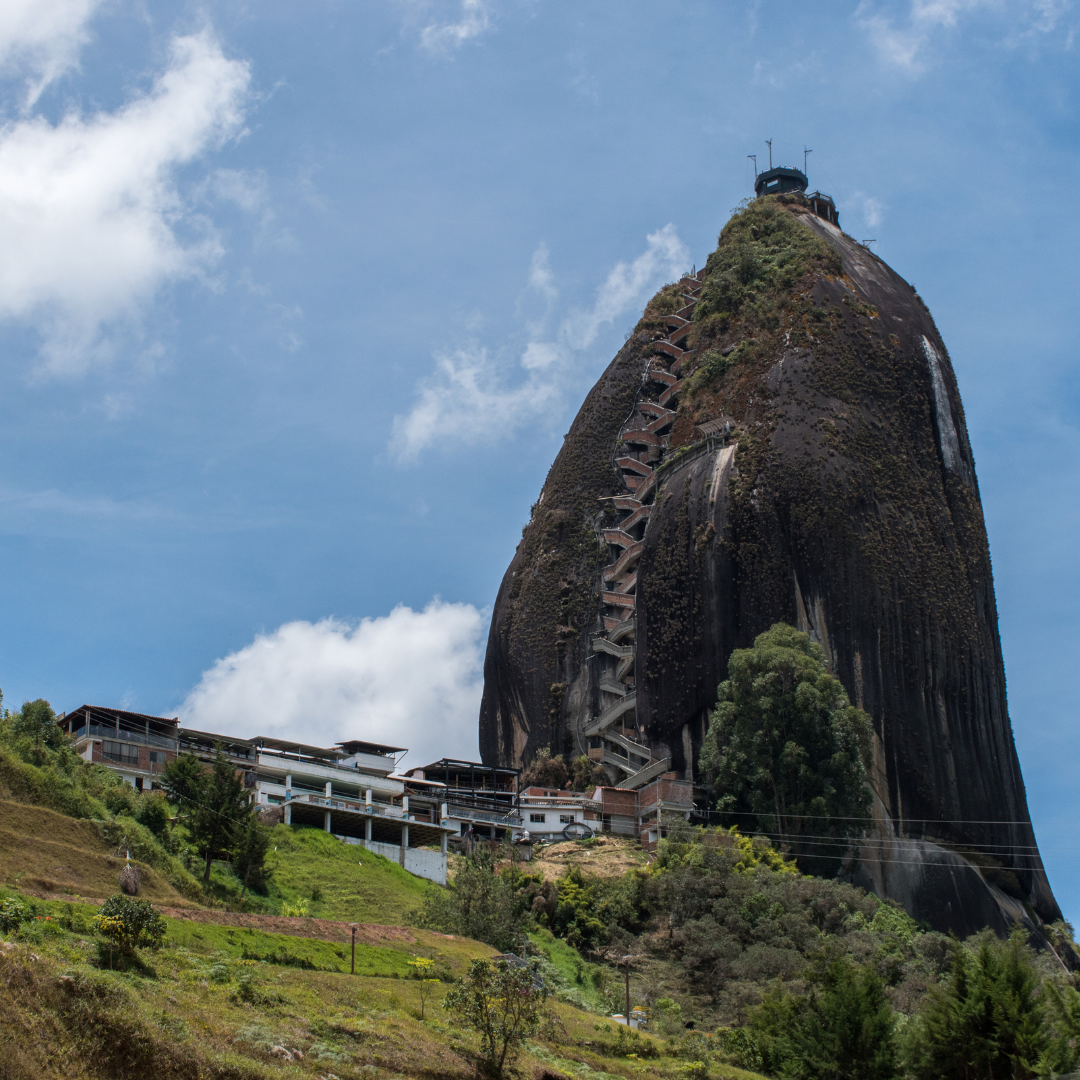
pixel 787 750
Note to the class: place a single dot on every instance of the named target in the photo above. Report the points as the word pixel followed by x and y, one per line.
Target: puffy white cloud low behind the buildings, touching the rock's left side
pixel 410 679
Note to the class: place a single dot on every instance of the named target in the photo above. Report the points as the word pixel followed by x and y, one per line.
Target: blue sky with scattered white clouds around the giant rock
pixel 298 302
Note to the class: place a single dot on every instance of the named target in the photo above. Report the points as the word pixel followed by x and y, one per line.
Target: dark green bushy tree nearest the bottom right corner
pixel 985 1022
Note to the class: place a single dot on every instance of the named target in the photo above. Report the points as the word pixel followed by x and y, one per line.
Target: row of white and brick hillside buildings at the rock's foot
pixel 355 791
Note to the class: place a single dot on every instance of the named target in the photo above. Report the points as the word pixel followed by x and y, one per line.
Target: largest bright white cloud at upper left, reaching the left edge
pixel 90 212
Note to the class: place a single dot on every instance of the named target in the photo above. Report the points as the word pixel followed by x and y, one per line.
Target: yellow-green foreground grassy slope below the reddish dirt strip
pixel 217 1001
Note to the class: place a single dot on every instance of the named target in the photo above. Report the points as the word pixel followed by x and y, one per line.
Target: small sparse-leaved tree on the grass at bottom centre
pixel 504 1004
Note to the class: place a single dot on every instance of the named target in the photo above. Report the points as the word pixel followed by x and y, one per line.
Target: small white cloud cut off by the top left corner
pixel 43 38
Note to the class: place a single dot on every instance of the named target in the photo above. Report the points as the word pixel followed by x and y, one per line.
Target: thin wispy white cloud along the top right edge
pixel 901 42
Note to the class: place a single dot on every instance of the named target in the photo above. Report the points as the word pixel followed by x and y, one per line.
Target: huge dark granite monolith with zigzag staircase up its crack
pixel 779 441
